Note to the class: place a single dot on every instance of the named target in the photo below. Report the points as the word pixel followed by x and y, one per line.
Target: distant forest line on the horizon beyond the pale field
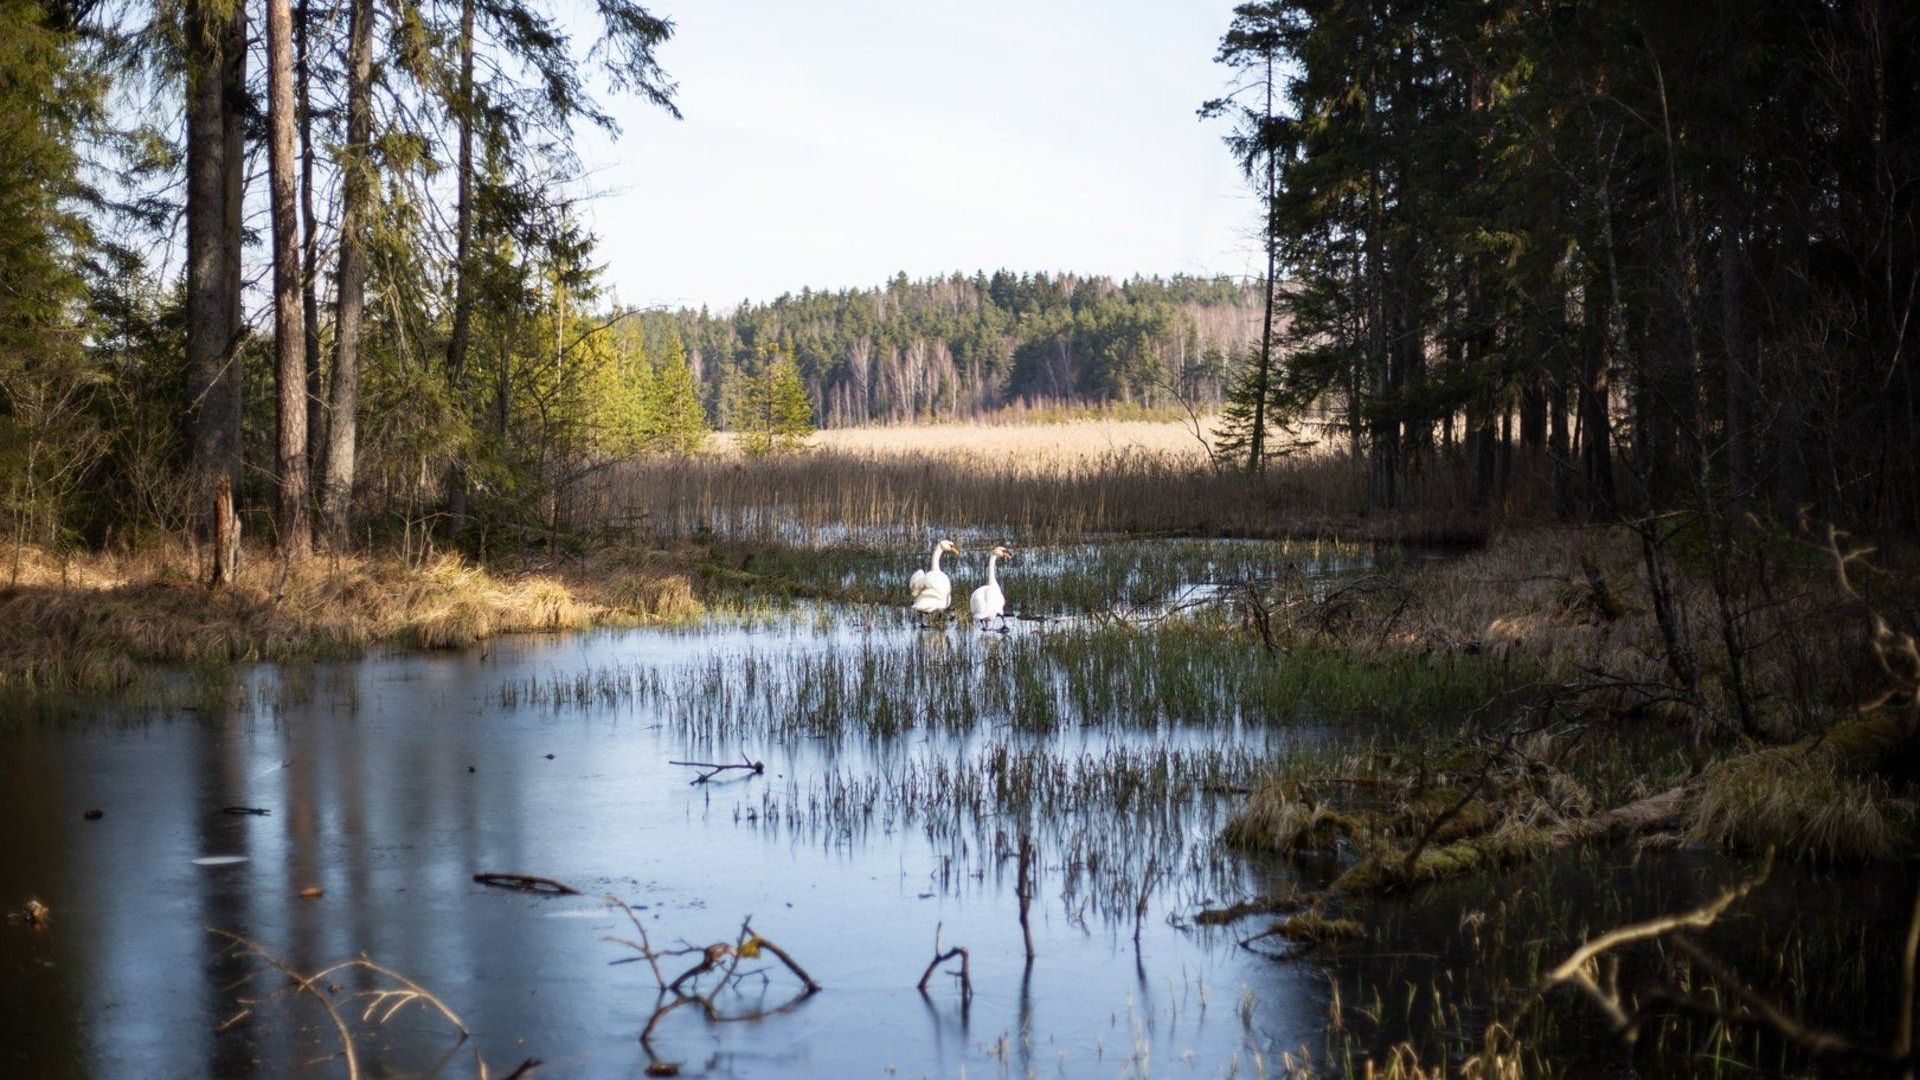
pixel 963 347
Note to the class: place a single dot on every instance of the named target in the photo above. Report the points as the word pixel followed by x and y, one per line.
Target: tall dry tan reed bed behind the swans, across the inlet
pixel 836 497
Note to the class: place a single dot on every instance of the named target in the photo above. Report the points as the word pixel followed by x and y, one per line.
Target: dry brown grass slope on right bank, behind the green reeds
pixel 1531 597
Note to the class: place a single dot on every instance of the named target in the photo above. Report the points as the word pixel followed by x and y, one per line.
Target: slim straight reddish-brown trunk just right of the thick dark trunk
pixel 289 330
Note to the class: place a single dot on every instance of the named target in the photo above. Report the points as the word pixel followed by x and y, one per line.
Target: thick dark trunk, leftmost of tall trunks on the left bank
pixel 216 89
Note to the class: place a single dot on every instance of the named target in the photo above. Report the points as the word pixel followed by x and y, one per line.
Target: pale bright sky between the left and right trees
pixel 836 143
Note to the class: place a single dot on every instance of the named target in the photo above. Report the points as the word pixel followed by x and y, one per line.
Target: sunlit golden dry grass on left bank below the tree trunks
pixel 97 622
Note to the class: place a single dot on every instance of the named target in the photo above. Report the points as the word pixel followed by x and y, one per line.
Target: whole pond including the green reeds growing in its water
pixel 343 810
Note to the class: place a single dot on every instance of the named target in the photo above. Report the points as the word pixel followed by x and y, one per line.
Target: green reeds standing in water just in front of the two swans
pixel 1072 677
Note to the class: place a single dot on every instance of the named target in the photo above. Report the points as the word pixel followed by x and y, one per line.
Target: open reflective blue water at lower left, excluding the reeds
pixel 393 781
